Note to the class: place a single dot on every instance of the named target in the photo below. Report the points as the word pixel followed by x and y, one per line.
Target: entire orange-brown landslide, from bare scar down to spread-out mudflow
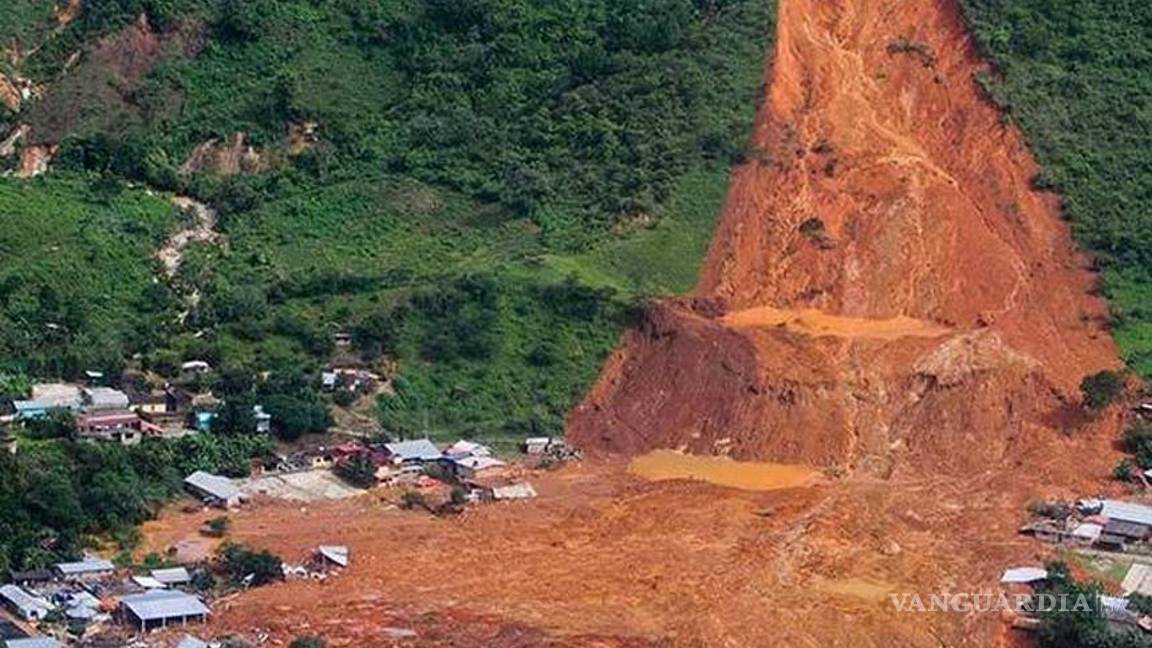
pixel 886 302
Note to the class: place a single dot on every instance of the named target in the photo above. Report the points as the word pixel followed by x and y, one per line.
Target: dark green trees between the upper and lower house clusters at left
pixel 56 496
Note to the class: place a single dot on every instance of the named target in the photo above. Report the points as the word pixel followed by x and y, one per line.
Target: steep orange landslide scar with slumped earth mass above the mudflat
pixel 885 291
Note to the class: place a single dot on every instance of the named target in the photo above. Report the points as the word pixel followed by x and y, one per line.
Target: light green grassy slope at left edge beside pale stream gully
pixel 77 275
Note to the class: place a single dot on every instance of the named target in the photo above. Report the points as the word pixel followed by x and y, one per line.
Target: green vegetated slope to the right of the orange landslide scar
pixel 1077 77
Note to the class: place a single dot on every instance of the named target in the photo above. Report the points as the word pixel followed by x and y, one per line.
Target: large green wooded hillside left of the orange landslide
pixel 479 193
